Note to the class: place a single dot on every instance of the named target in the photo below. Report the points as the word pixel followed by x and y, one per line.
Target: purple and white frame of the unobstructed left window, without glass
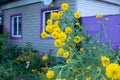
pixel 12 17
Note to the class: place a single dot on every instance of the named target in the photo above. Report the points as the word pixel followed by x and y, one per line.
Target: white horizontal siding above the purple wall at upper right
pixel 92 7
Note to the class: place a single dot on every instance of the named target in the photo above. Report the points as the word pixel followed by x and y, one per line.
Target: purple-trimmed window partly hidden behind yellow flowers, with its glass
pixel 45 15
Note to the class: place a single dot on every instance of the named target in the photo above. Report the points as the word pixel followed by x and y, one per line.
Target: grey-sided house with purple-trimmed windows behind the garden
pixel 24 19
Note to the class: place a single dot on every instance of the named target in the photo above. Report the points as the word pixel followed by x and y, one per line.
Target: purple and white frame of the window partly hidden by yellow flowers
pixel 42 18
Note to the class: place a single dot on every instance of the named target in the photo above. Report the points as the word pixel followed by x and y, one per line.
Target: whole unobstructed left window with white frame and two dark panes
pixel 16 26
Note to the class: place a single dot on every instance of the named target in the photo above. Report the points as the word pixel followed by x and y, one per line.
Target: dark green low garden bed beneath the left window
pixel 18 63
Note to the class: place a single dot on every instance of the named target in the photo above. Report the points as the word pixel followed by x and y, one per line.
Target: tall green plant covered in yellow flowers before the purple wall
pixel 85 59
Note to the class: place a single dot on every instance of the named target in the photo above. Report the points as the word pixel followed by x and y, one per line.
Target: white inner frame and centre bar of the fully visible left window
pixel 17 26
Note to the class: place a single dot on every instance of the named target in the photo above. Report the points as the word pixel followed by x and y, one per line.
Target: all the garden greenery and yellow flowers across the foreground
pixel 81 57
